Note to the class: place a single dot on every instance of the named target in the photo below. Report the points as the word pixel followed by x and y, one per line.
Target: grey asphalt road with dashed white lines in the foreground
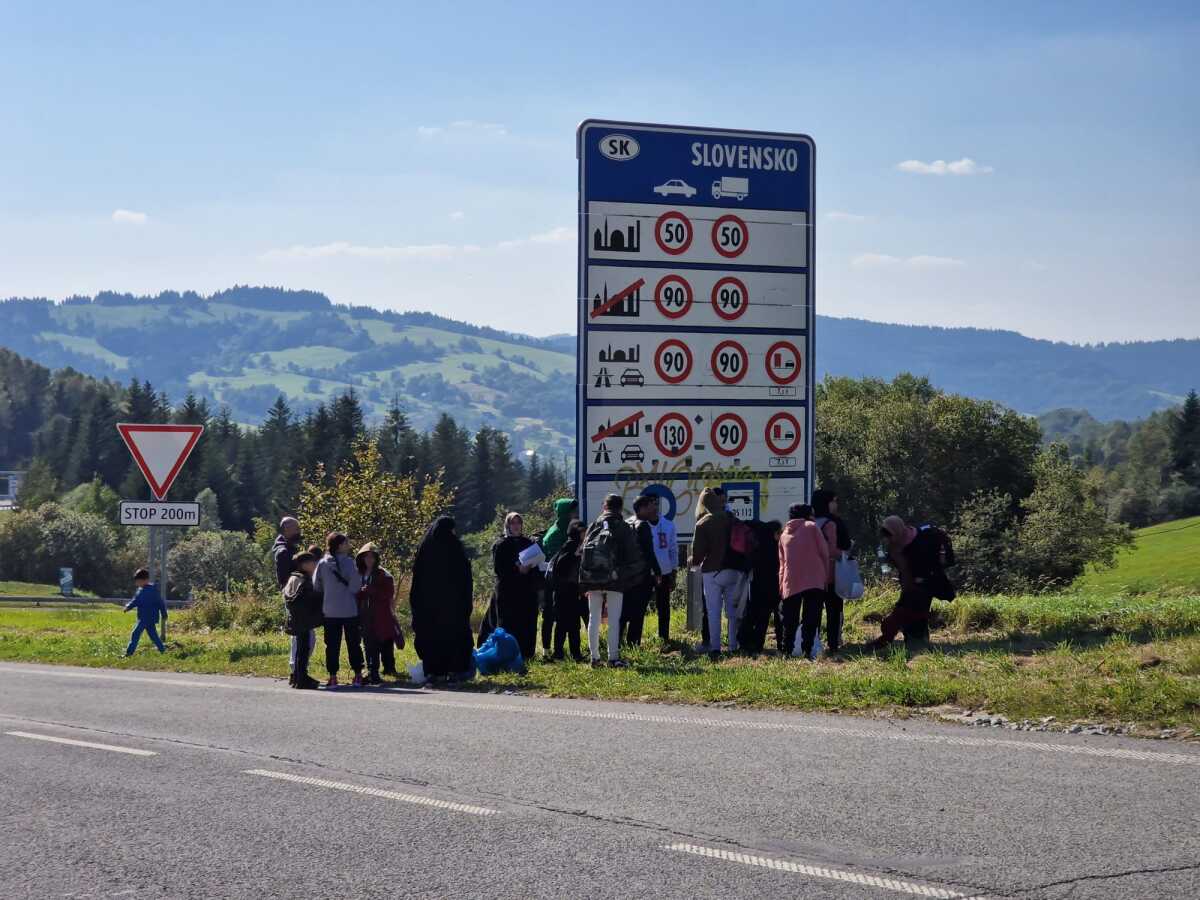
pixel 241 788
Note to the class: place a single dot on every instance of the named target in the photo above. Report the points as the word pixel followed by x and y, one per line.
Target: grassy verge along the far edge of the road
pixel 1076 657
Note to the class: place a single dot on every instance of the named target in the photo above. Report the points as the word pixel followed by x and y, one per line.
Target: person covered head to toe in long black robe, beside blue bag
pixel 442 601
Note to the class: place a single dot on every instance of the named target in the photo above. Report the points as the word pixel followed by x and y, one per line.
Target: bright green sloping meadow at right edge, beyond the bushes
pixel 1166 555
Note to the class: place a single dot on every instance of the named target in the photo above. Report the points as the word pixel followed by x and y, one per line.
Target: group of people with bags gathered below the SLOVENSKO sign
pixel 580 574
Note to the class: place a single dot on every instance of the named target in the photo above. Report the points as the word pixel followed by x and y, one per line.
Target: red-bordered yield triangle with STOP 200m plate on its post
pixel 160 453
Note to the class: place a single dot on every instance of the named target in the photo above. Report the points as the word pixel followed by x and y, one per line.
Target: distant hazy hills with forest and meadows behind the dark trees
pixel 244 346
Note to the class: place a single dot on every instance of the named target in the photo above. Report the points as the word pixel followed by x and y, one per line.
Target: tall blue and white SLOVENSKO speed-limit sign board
pixel 695 317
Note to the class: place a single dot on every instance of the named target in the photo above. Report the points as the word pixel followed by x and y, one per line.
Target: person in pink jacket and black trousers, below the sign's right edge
pixel 803 568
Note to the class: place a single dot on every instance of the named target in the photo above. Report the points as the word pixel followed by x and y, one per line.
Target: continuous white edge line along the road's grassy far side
pixel 743 723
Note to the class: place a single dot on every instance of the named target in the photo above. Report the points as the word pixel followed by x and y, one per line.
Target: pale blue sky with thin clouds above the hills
pixel 422 157
